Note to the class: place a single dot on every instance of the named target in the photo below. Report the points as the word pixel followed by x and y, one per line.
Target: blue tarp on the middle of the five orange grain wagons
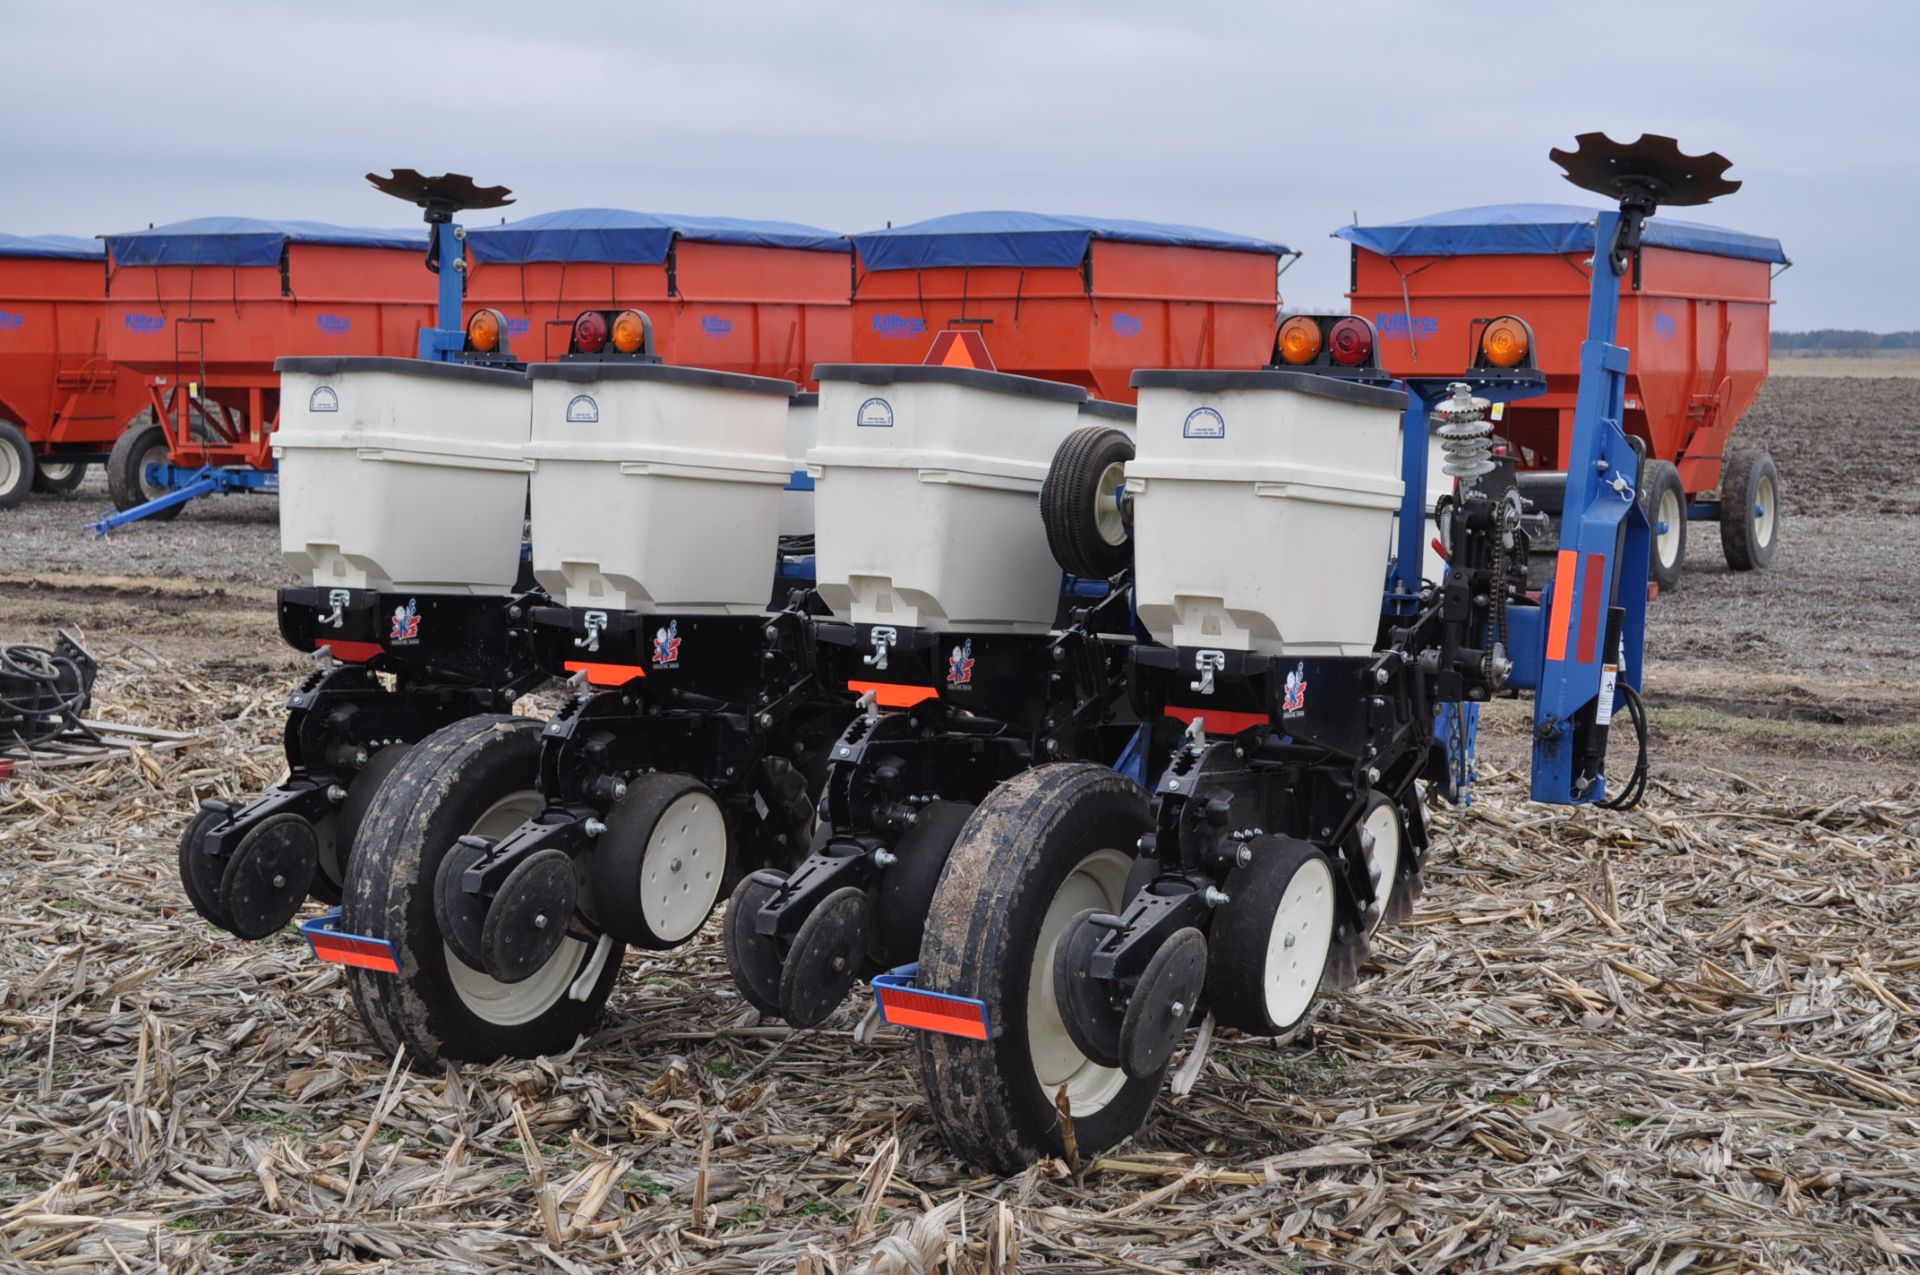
pixel 633 239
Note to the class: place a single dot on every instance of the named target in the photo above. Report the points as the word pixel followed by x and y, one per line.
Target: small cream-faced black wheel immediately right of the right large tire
pixel 1272 938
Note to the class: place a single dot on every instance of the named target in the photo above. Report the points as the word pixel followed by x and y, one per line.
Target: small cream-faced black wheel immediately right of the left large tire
pixel 661 865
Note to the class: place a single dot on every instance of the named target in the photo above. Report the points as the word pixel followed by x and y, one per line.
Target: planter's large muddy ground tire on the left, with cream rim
pixel 473 777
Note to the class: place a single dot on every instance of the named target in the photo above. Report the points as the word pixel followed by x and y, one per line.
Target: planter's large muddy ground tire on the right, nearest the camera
pixel 1045 846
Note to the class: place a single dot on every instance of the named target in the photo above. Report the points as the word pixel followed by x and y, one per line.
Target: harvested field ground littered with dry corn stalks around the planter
pixel 1675 1040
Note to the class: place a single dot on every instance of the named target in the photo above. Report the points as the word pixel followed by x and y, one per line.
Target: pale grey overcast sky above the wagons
pixel 1276 120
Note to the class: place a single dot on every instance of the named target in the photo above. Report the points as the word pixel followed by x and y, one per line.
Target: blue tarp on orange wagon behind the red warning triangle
pixel 1028 239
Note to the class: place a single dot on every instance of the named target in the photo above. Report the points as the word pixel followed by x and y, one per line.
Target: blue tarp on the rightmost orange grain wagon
pixel 1541 229
